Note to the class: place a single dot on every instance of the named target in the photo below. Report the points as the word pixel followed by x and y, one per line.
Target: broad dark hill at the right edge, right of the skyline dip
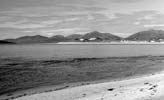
pixel 147 35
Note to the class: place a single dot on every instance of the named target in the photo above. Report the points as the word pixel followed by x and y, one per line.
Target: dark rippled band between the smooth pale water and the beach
pixel 19 74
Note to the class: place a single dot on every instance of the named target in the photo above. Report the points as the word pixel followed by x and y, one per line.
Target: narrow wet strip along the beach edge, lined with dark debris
pixel 53 88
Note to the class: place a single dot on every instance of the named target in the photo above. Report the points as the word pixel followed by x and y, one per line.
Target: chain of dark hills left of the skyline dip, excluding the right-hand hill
pixel 60 38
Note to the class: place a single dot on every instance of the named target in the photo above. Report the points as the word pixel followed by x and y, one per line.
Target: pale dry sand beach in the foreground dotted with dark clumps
pixel 144 88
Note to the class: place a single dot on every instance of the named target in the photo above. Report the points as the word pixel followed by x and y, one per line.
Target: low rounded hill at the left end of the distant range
pixel 29 39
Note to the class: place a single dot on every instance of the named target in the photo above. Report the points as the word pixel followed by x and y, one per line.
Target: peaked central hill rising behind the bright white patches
pixel 101 36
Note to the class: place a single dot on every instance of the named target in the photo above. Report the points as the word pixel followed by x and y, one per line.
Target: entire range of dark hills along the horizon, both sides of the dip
pixel 95 36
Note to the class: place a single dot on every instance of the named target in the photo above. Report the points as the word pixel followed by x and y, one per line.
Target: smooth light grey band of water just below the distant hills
pixel 77 51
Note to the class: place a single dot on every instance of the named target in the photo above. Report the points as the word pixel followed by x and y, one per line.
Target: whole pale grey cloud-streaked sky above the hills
pixel 65 17
